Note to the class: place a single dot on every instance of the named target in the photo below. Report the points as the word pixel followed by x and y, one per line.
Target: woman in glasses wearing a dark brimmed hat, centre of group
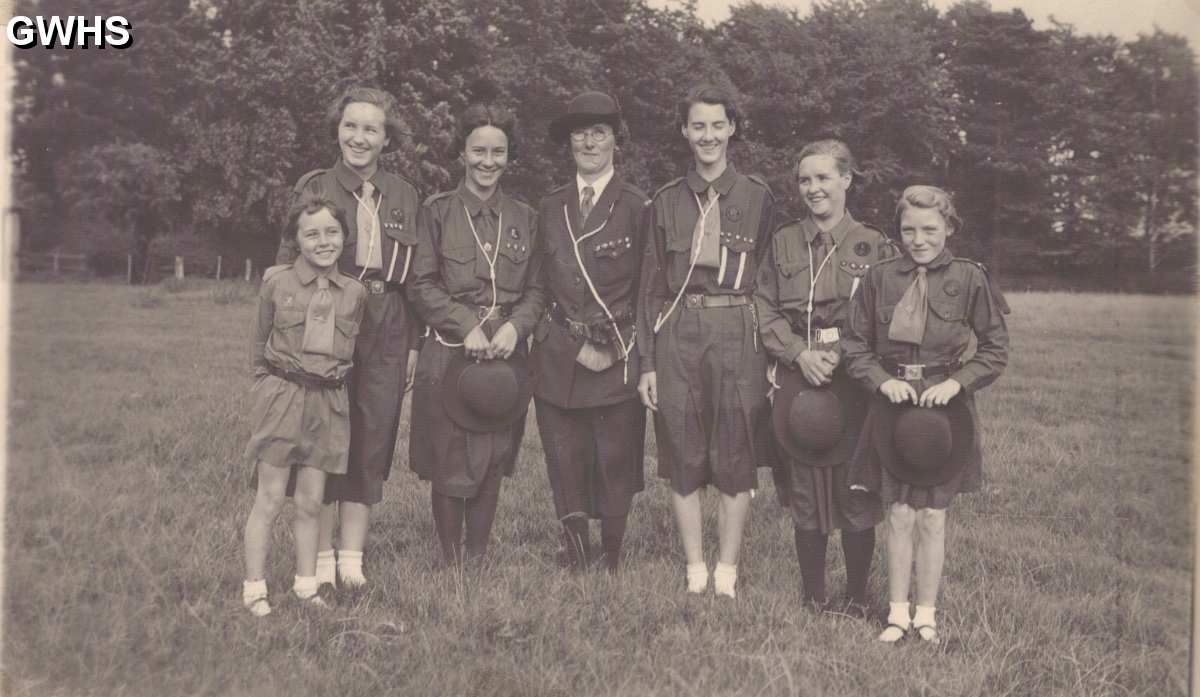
pixel 585 371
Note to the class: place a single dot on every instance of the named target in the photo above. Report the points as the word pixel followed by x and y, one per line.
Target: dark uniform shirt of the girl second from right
pixel 783 292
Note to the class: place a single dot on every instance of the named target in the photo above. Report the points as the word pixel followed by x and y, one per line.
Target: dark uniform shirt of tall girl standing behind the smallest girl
pixel 399 206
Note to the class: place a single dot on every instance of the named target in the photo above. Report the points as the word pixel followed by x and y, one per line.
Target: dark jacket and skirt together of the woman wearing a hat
pixel 592 424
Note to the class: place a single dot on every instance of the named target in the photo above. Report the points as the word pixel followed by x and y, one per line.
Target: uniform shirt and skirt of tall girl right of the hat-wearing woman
pixel 712 424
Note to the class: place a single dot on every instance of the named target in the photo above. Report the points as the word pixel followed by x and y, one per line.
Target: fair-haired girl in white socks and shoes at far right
pixel 909 331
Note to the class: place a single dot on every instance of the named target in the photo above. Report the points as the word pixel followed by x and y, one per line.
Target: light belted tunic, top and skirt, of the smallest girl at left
pixel 291 424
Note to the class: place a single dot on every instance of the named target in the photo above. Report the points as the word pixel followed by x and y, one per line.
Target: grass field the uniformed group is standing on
pixel 1069 575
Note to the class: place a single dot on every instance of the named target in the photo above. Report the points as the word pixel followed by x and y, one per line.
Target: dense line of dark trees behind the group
pixel 1073 157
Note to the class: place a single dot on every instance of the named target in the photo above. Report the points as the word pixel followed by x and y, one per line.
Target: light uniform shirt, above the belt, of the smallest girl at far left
pixel 283 308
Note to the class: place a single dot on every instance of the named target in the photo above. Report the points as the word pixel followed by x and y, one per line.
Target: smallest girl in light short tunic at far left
pixel 309 315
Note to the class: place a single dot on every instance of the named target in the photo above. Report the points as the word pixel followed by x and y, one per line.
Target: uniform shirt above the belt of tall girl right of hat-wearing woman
pixel 748 211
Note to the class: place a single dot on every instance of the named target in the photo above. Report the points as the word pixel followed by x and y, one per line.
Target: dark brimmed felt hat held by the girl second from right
pixel 809 422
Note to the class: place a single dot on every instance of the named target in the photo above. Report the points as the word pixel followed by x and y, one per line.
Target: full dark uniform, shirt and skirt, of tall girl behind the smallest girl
pixel 391 328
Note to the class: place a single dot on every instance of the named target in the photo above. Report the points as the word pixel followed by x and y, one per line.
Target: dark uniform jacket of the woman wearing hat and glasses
pixel 610 245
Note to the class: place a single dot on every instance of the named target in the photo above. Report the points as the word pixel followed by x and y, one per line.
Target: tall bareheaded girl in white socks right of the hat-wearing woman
pixel 704 372
